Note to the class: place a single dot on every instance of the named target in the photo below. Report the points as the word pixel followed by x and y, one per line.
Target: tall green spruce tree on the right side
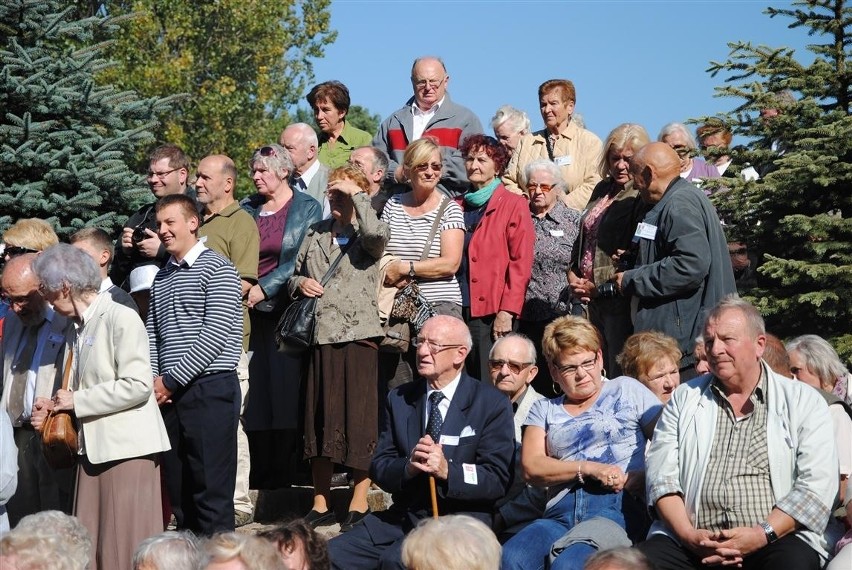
pixel 797 215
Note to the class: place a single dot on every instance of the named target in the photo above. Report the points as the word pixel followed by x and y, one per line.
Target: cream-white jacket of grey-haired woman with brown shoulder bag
pixel 113 385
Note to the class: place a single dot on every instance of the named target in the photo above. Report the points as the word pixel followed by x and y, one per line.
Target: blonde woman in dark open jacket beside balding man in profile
pixel 606 229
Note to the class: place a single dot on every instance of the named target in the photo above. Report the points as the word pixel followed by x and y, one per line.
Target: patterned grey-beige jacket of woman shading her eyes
pixel 348 309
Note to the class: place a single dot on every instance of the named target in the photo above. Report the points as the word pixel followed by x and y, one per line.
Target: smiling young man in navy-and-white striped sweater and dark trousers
pixel 195 324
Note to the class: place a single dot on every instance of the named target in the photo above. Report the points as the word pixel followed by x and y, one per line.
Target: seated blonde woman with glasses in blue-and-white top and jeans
pixel 585 447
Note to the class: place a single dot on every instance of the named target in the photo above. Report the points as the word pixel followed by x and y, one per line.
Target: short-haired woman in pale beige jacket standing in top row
pixel 572 148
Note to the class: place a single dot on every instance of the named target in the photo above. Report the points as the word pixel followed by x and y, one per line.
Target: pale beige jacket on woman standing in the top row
pixel 579 149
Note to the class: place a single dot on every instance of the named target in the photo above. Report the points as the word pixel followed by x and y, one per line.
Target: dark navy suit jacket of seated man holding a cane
pixel 477 409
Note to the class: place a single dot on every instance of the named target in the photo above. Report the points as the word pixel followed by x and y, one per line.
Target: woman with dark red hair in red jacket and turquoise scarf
pixel 498 247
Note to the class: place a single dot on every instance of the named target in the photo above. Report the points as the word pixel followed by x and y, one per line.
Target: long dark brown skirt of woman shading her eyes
pixel 341 403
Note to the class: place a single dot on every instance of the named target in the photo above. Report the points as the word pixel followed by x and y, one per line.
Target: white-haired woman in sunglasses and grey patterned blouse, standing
pixel 555 226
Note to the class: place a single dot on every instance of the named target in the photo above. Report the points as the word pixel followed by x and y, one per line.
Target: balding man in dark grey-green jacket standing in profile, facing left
pixel 683 267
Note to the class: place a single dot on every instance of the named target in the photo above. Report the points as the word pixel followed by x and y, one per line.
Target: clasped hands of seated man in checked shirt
pixel 726 547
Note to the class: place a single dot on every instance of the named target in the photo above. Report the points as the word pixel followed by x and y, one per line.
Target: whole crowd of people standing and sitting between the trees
pixel 578 384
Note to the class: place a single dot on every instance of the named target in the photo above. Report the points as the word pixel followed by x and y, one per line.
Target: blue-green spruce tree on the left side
pixel 65 140
